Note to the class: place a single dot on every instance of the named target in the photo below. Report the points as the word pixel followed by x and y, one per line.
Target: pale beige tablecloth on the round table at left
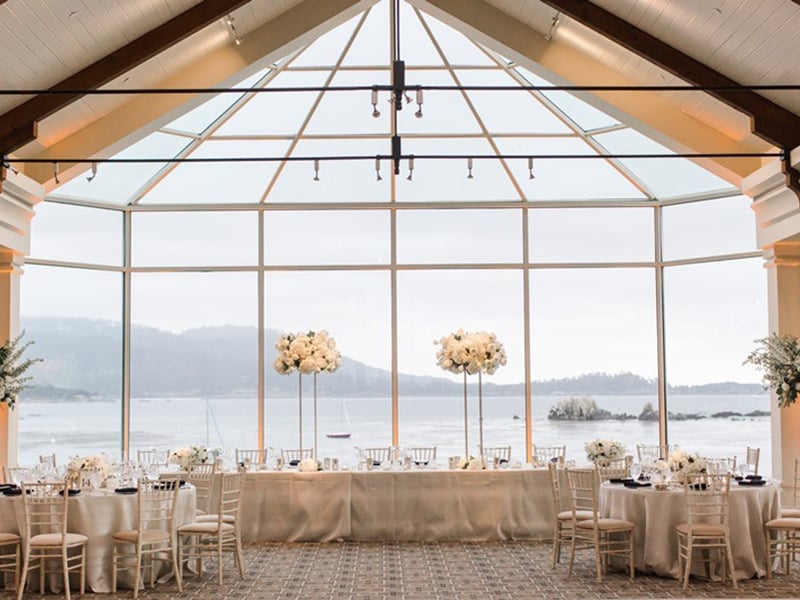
pixel 97 515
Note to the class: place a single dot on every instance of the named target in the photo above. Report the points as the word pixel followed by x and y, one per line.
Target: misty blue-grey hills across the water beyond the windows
pixel 82 358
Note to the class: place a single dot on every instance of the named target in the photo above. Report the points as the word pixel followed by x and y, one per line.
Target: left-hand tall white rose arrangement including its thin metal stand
pixel 312 352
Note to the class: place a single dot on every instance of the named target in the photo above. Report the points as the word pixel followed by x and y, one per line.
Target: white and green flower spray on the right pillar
pixel 779 358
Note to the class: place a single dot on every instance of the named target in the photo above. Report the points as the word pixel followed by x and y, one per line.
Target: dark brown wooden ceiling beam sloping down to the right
pixel 769 121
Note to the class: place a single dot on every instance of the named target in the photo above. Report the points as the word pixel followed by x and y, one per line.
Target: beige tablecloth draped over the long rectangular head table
pixel 422 505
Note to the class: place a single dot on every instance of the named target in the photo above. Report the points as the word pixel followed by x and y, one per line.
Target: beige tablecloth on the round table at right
pixel 656 513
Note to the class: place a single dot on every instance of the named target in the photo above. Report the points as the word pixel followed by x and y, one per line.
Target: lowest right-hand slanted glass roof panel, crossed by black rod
pixel 666 177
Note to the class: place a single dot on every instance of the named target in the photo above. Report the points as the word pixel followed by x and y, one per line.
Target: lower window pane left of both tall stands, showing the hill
pixel 194 360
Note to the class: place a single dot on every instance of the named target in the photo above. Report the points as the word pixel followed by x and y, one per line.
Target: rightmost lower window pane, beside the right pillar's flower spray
pixel 713 312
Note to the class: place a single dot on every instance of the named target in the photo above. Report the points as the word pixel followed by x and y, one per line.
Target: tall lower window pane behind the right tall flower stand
pixel 431 305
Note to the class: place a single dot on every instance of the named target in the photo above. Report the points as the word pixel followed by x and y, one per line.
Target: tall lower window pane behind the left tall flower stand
pixel 354 308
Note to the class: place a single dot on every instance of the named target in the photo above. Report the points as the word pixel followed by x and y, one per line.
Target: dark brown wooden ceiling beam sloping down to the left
pixel 15 125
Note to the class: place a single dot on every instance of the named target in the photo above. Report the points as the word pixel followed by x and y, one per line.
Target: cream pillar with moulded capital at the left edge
pixel 18 196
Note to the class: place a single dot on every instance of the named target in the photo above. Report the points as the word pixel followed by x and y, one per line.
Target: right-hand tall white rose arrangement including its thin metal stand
pixel 469 353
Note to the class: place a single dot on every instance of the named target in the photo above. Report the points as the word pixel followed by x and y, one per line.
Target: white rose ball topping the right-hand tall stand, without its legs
pixel 477 352
